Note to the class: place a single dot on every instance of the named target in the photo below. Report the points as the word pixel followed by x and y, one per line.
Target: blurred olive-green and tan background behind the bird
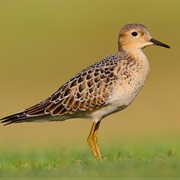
pixel 44 43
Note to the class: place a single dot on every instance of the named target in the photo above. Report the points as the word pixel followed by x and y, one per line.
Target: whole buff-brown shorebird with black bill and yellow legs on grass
pixel 103 88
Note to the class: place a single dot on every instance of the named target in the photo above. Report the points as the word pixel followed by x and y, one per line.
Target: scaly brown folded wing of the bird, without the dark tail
pixel 88 90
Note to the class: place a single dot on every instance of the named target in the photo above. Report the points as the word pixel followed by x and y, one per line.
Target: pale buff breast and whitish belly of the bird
pixel 124 91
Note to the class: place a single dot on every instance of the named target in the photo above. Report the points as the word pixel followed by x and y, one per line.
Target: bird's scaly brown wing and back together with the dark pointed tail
pixel 86 91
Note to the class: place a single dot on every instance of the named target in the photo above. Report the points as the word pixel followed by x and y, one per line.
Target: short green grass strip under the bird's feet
pixel 136 161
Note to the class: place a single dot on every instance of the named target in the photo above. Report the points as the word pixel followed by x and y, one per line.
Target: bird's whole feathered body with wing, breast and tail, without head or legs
pixel 101 89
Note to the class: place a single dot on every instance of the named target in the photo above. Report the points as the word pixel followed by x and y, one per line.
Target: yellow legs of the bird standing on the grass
pixel 92 141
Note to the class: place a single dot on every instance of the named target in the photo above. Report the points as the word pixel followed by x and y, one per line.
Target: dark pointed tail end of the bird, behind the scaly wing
pixel 28 115
